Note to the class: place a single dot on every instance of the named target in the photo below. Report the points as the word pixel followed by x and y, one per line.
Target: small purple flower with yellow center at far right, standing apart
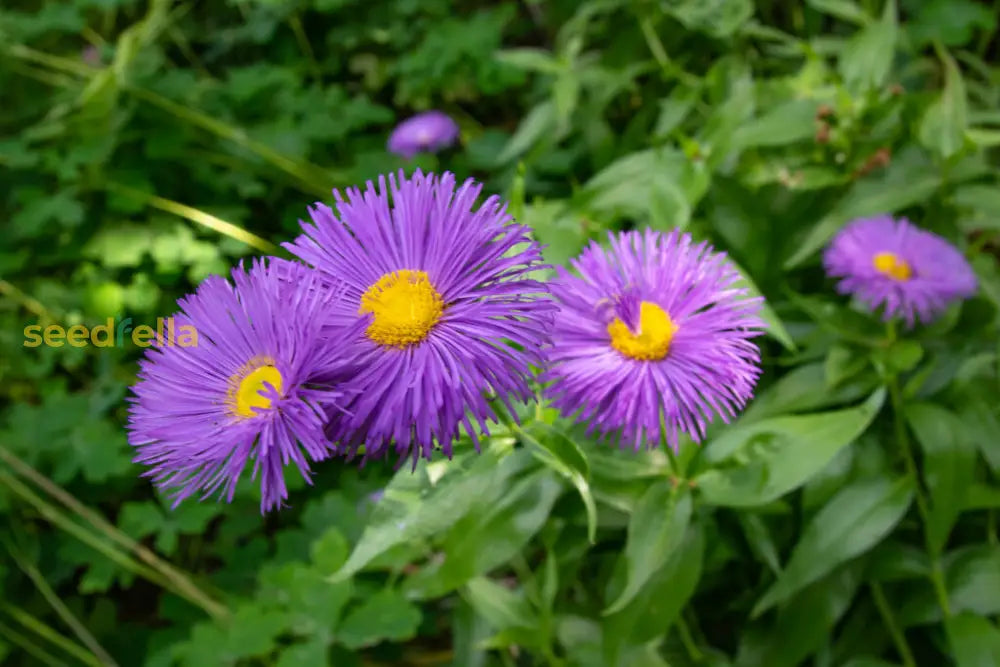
pixel 912 272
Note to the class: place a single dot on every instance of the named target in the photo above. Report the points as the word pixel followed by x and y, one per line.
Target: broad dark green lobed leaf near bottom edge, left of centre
pixel 386 615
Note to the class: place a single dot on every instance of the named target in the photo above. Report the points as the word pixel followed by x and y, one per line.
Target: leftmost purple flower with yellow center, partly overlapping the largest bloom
pixel 257 384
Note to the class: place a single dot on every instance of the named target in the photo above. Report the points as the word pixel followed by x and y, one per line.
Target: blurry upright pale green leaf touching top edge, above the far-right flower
pixel 866 59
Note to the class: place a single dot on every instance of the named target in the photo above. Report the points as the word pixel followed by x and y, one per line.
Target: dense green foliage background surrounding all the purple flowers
pixel 848 518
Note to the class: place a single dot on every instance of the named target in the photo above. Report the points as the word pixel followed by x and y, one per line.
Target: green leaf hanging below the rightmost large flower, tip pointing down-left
pixel 654 532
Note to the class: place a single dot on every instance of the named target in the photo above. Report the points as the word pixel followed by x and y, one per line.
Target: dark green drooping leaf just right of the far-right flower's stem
pixel 949 466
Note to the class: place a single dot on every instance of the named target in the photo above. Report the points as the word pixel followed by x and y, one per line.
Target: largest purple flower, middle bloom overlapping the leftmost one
pixel 450 311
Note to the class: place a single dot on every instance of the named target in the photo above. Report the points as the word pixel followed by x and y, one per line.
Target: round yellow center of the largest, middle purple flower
pixel 405 307
